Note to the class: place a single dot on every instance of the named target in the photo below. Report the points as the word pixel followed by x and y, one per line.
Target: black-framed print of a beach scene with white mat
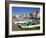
pixel 24 18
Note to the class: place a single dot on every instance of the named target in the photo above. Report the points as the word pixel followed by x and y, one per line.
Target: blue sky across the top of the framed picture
pixel 24 10
